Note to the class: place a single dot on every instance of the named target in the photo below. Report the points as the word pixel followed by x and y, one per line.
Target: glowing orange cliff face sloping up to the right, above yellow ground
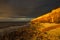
pixel 53 16
